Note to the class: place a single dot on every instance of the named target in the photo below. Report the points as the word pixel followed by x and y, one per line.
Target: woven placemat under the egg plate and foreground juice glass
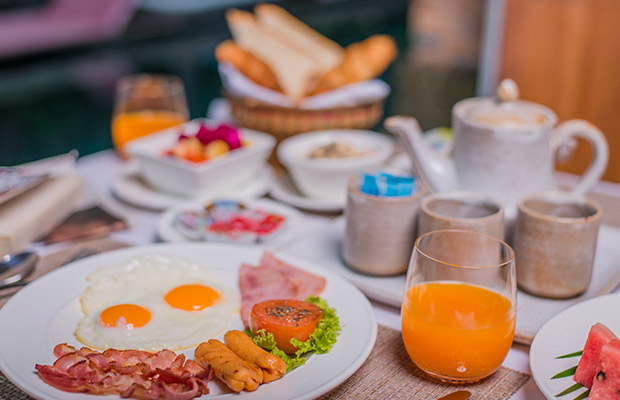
pixel 388 373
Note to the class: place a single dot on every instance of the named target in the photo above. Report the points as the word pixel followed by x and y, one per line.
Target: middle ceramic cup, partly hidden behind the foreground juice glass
pixel 470 211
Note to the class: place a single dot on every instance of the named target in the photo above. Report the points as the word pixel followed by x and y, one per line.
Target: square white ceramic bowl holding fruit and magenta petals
pixel 179 176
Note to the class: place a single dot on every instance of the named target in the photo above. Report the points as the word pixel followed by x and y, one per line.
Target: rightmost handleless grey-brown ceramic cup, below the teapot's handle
pixel 555 243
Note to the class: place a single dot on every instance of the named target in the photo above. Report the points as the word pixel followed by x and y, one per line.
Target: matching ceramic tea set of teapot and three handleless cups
pixel 500 183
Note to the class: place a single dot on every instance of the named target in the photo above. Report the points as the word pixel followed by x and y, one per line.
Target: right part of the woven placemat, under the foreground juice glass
pixel 388 373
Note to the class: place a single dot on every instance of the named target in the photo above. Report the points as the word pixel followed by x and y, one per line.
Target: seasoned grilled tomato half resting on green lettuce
pixel 285 319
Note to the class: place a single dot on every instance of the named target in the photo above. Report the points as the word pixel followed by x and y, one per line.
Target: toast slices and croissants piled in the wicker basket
pixel 279 52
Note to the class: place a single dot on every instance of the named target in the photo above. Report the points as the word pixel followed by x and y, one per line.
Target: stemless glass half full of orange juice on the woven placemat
pixel 459 305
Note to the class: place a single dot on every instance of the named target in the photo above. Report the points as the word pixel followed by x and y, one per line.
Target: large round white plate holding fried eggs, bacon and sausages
pixel 47 311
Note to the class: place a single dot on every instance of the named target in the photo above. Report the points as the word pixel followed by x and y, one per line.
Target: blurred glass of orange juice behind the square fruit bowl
pixel 146 103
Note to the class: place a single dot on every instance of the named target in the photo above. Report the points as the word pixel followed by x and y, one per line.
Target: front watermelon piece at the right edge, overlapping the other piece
pixel 606 385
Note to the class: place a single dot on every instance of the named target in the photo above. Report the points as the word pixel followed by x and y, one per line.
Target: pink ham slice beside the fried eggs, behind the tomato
pixel 275 279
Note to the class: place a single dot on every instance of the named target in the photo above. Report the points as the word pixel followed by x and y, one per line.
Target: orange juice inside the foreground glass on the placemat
pixel 456 330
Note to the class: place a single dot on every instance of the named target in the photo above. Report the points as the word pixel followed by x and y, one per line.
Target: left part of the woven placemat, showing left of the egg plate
pixel 8 391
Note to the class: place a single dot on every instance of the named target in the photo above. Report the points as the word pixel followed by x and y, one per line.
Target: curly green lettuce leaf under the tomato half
pixel 320 341
